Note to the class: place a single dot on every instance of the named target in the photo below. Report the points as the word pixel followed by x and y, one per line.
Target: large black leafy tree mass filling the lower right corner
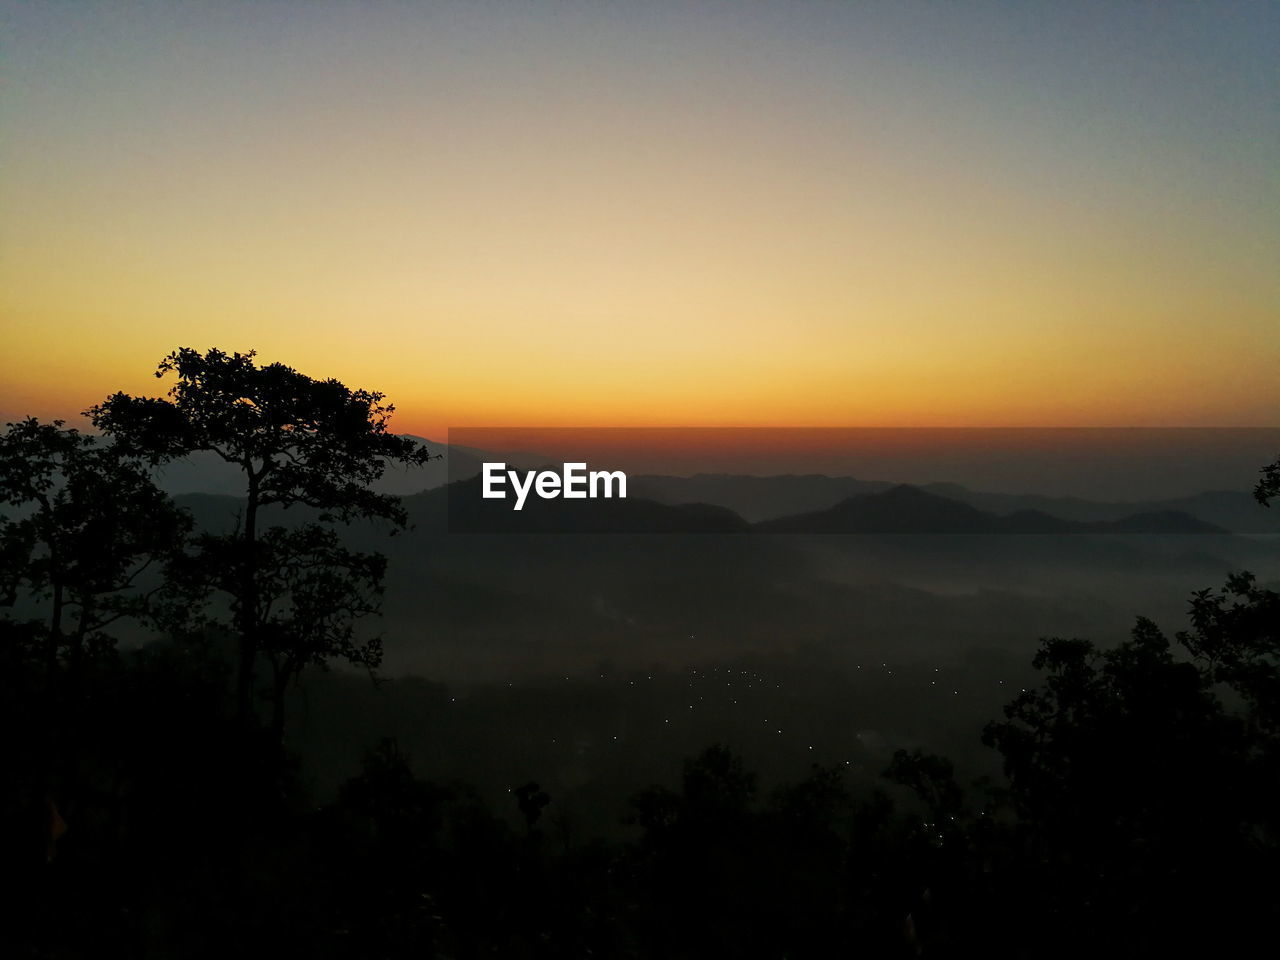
pixel 1140 807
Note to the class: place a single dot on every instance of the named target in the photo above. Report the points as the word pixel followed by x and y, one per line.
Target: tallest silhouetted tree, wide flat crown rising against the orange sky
pixel 296 441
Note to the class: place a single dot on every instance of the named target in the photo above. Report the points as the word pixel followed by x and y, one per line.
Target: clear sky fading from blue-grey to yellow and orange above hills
pixel 653 213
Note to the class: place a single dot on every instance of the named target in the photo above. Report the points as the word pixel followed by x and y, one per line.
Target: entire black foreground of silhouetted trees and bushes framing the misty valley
pixel 152 810
